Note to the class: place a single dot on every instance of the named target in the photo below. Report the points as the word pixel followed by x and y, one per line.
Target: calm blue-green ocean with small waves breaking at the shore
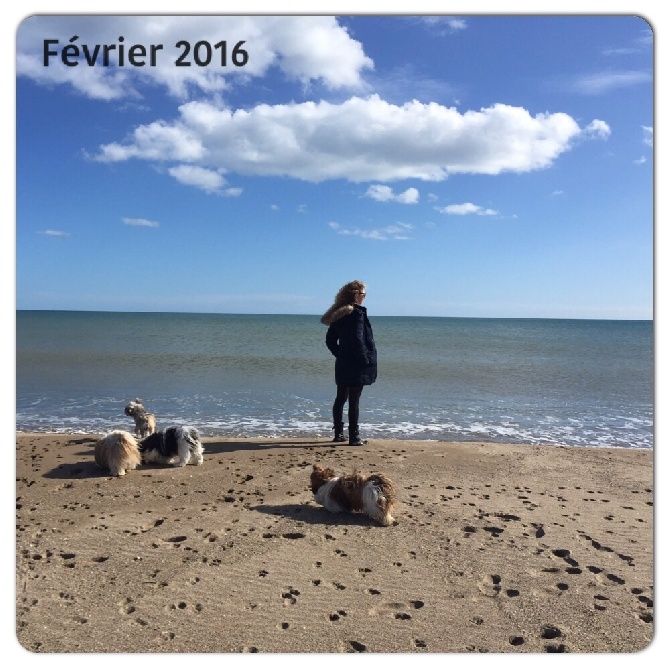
pixel 533 381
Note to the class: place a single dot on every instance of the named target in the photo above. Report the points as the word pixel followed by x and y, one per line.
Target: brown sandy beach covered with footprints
pixel 496 548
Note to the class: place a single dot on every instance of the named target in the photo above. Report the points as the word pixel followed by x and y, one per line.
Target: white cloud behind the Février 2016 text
pixel 304 48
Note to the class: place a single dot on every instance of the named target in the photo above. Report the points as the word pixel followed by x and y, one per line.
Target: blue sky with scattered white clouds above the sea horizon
pixel 471 165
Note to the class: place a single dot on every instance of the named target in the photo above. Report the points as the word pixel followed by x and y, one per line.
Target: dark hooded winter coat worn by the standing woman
pixel 350 340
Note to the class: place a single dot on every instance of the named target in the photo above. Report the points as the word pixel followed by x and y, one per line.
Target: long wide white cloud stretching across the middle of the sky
pixel 361 139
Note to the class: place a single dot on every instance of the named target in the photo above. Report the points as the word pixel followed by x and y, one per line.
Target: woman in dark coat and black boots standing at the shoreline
pixel 350 340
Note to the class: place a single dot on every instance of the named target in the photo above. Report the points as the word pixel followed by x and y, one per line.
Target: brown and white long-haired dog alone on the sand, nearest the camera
pixel 374 494
